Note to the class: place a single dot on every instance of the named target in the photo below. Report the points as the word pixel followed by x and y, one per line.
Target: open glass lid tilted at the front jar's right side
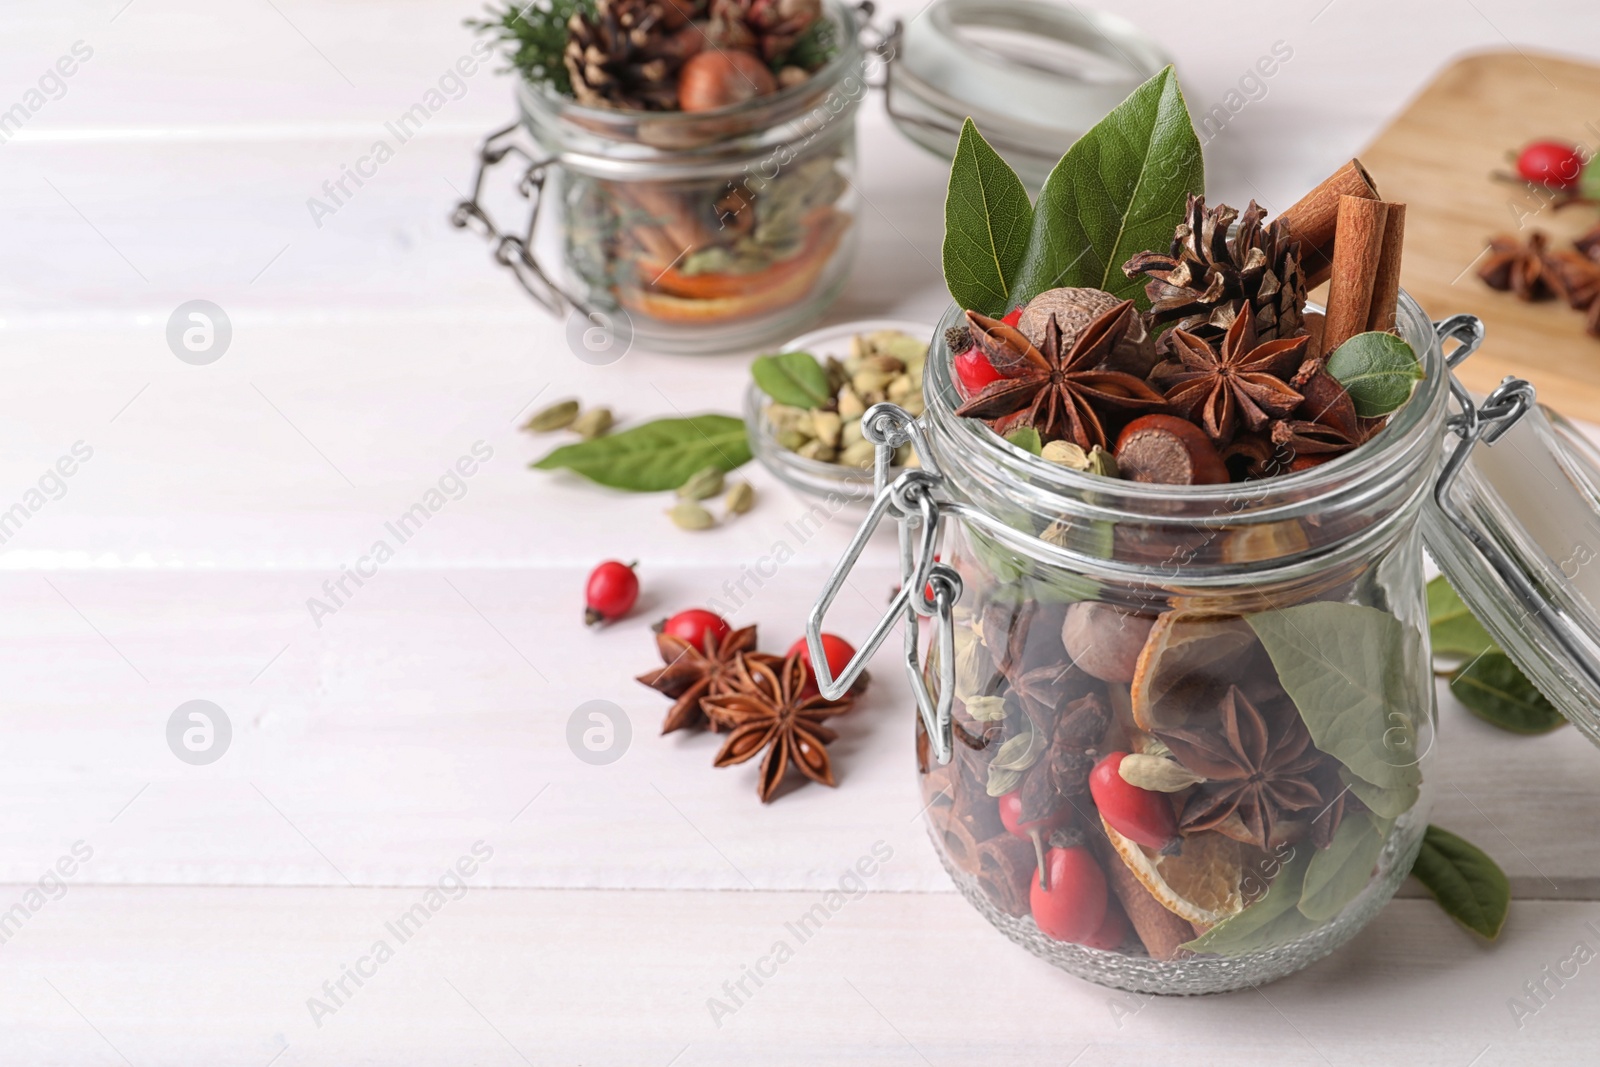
pixel 1514 526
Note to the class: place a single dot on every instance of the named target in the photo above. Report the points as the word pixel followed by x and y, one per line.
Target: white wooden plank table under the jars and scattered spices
pixel 423 724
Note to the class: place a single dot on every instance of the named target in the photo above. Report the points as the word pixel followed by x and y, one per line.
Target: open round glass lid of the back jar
pixel 1033 74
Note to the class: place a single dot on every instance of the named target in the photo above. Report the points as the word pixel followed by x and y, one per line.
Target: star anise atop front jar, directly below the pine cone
pixel 1244 383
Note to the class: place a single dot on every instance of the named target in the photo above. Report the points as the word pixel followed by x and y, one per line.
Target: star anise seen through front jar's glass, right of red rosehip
pixel 1258 767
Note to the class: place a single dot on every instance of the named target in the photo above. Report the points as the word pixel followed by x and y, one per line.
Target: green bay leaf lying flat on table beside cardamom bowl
pixel 657 457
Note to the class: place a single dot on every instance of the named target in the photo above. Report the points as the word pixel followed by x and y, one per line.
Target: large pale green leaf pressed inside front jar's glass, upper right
pixel 1351 673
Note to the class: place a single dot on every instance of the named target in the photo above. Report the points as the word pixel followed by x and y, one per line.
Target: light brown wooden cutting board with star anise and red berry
pixel 1439 158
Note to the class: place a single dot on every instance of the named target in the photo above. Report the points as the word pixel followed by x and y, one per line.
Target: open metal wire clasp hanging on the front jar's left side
pixel 913 502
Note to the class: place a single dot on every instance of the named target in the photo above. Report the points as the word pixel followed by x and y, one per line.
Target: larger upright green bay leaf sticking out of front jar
pixel 1119 191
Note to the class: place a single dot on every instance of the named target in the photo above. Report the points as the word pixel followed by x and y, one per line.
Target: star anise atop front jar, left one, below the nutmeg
pixel 1060 393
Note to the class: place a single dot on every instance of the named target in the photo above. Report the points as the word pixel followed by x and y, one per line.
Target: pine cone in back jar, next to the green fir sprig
pixel 628 54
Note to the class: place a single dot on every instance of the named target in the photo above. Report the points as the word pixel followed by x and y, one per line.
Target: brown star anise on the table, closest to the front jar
pixel 766 708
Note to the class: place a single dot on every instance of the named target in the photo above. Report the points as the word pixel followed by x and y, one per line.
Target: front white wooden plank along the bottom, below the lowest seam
pixel 625 980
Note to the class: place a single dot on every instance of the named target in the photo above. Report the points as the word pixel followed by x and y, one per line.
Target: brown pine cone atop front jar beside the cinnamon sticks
pixel 1210 278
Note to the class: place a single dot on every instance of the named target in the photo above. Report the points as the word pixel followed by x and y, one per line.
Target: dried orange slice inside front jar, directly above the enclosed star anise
pixel 1186 665
